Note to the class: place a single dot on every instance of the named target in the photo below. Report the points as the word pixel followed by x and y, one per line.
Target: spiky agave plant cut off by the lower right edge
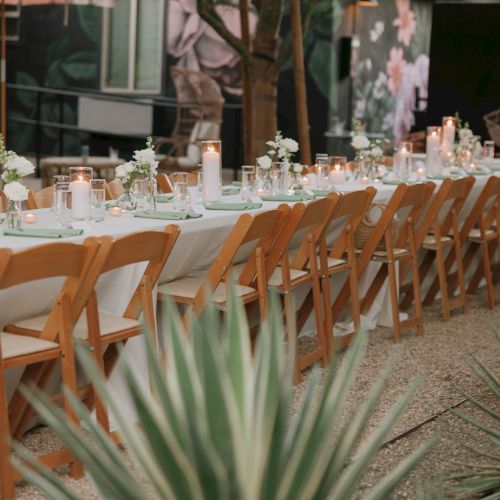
pixel 482 480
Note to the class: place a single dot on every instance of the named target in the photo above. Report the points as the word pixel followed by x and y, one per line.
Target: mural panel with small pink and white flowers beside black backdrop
pixel 393 65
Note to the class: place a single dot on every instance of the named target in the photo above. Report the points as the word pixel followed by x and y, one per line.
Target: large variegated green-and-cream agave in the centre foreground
pixel 218 422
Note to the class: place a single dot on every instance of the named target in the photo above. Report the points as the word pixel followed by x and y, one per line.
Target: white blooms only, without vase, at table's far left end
pixel 14 169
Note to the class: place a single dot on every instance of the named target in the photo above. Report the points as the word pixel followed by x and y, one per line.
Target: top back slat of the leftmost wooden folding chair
pixel 45 261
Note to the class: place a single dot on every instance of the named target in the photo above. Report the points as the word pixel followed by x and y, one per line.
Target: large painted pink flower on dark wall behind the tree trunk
pixel 200 48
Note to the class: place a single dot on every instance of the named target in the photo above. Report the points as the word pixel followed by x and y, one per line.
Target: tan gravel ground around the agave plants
pixel 443 354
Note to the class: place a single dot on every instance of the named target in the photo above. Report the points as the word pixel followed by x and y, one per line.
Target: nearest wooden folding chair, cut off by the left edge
pixel 49 345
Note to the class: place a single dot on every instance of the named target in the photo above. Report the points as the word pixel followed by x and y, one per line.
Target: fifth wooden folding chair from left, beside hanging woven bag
pixel 347 213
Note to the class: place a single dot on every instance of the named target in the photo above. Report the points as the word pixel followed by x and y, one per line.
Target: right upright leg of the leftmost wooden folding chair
pixel 68 368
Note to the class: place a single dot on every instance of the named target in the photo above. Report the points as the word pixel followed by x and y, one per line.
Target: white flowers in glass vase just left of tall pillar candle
pixel 143 167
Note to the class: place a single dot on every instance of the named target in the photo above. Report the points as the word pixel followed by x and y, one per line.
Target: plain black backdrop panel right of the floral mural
pixel 464 73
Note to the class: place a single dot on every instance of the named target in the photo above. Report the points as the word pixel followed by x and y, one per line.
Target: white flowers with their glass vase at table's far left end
pixel 14 169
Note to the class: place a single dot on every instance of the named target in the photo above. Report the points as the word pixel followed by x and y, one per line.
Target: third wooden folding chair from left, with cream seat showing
pixel 257 233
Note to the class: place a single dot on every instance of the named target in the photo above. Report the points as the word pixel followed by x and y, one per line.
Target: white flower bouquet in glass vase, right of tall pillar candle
pixel 279 156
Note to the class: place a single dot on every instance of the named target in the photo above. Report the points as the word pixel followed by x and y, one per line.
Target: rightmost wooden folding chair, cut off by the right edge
pixel 478 231
